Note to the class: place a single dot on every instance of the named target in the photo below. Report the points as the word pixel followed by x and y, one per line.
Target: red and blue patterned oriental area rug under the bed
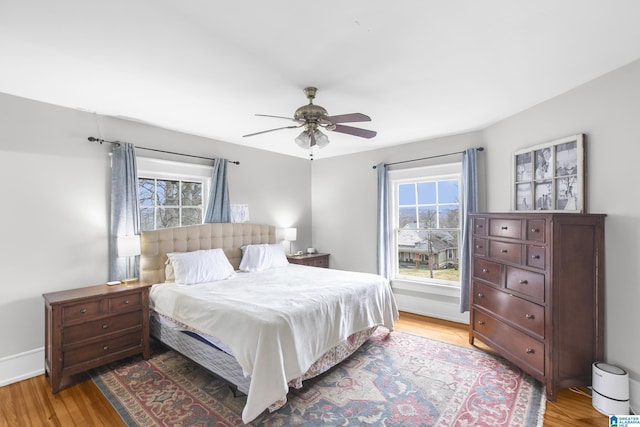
pixel 395 379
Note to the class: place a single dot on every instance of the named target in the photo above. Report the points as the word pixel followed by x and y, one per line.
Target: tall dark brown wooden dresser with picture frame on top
pixel 537 293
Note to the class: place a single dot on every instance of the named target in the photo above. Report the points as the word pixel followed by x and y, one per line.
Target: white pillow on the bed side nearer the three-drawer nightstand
pixel 201 266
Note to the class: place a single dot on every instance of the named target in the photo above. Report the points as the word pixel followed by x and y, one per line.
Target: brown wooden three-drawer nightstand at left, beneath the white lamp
pixel 88 327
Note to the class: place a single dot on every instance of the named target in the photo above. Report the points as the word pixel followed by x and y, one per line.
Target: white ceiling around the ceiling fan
pixel 419 68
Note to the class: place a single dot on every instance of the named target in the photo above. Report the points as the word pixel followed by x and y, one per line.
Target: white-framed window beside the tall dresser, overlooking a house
pixel 426 220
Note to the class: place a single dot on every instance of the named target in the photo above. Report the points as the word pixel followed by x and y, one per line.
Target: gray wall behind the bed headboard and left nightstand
pixel 55 187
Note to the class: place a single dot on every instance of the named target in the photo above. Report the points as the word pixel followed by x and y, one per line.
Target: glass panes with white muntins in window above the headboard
pixel 168 203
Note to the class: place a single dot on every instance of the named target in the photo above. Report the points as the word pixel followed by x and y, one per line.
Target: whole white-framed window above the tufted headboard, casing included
pixel 172 194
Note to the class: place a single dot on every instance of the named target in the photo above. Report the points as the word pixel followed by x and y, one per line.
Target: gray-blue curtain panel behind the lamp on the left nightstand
pixel 125 214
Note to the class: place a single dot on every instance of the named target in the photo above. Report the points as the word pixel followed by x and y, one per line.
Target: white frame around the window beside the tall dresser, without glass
pixel 439 172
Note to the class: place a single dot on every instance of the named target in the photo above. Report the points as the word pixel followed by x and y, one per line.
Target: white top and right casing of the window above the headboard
pixel 152 168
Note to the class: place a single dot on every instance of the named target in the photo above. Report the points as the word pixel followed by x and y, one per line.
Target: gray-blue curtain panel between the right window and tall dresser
pixel 469 204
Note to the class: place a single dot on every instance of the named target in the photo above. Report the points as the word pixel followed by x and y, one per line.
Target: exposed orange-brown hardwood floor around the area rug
pixel 30 402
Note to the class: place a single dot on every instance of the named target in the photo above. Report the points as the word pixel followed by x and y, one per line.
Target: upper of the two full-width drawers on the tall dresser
pixel 523 313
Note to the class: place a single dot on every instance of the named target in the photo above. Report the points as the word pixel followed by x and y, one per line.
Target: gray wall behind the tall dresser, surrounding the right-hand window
pixel 607 110
